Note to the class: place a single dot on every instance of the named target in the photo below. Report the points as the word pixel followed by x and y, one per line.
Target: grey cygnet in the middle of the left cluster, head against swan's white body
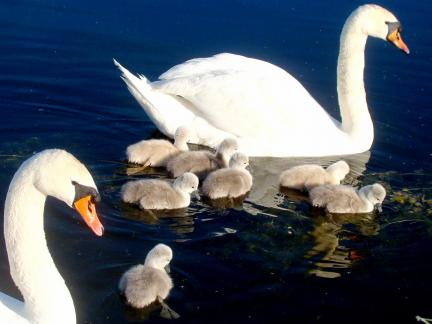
pixel 202 162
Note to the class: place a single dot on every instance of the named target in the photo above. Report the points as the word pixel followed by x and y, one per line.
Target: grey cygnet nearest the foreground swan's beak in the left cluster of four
pixel 159 194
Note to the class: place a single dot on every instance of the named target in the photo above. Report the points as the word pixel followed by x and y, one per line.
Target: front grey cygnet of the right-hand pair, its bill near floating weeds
pixel 346 199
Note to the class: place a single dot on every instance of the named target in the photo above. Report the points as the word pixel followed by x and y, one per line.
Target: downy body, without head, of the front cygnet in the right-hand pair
pixel 337 198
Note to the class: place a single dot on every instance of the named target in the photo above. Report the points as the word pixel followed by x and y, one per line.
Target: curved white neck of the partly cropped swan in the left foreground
pixel 47 299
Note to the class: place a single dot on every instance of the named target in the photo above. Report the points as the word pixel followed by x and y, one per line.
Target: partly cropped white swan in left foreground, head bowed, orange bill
pixel 49 173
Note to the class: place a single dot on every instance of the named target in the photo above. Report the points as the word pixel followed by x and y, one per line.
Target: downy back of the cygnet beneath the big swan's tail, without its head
pixel 155 152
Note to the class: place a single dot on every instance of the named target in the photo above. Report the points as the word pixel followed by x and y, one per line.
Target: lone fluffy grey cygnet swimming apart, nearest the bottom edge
pixel 145 283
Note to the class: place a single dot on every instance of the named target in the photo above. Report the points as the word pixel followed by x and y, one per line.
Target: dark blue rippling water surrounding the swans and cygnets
pixel 271 259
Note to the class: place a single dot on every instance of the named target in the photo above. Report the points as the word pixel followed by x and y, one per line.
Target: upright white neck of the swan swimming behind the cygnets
pixel 356 120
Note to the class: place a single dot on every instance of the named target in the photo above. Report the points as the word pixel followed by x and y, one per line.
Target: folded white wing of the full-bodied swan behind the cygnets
pixel 226 88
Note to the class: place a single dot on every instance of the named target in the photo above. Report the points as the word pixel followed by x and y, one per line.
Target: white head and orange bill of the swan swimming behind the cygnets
pixel 378 22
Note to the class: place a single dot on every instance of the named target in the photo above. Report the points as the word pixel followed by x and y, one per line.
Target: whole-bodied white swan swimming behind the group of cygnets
pixel 267 109
